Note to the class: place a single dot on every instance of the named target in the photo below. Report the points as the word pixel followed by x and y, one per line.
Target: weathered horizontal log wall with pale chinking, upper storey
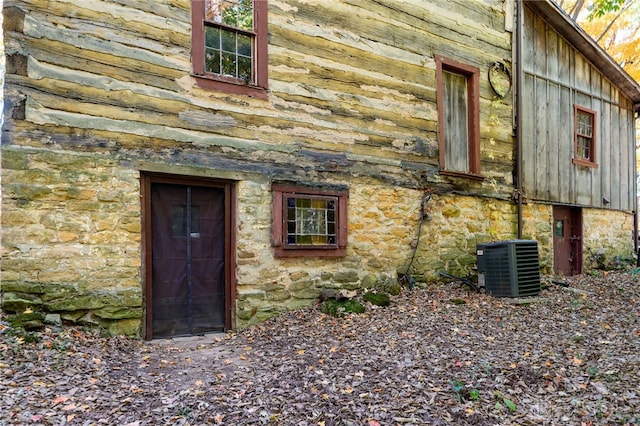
pixel 352 88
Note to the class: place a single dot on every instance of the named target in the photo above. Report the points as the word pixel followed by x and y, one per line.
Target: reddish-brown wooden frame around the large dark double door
pixel 146 180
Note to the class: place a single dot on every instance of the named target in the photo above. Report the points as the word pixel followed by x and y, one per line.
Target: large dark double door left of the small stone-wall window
pixel 188 259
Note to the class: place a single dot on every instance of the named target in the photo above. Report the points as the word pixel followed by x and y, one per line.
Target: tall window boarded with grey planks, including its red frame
pixel 458 97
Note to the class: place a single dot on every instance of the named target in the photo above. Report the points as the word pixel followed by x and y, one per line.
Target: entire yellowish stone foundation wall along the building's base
pixel 71 242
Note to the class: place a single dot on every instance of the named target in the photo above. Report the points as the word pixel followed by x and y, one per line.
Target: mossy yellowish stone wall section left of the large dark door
pixel 71 237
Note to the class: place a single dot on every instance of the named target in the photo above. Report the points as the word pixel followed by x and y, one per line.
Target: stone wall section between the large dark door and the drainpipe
pixel 384 223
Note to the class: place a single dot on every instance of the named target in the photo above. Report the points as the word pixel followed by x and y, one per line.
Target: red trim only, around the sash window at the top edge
pixel 227 84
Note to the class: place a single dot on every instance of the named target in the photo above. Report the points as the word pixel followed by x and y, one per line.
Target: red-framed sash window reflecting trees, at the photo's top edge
pixel 229 45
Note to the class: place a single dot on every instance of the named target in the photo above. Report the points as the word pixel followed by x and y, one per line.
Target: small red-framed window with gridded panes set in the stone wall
pixel 309 221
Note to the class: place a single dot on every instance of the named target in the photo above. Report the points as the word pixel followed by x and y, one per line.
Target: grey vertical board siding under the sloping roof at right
pixel 556 78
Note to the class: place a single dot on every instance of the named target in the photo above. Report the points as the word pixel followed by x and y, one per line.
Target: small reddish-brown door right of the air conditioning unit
pixel 567 240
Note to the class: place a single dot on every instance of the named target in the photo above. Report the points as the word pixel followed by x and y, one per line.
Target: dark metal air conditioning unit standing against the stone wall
pixel 509 268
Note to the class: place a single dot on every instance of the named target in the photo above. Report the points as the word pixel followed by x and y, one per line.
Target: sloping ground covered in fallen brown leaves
pixel 437 355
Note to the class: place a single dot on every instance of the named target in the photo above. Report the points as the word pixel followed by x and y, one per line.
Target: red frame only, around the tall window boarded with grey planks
pixel 473 93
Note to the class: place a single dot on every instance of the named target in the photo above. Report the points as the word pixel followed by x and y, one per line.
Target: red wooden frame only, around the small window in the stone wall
pixel 278 227
